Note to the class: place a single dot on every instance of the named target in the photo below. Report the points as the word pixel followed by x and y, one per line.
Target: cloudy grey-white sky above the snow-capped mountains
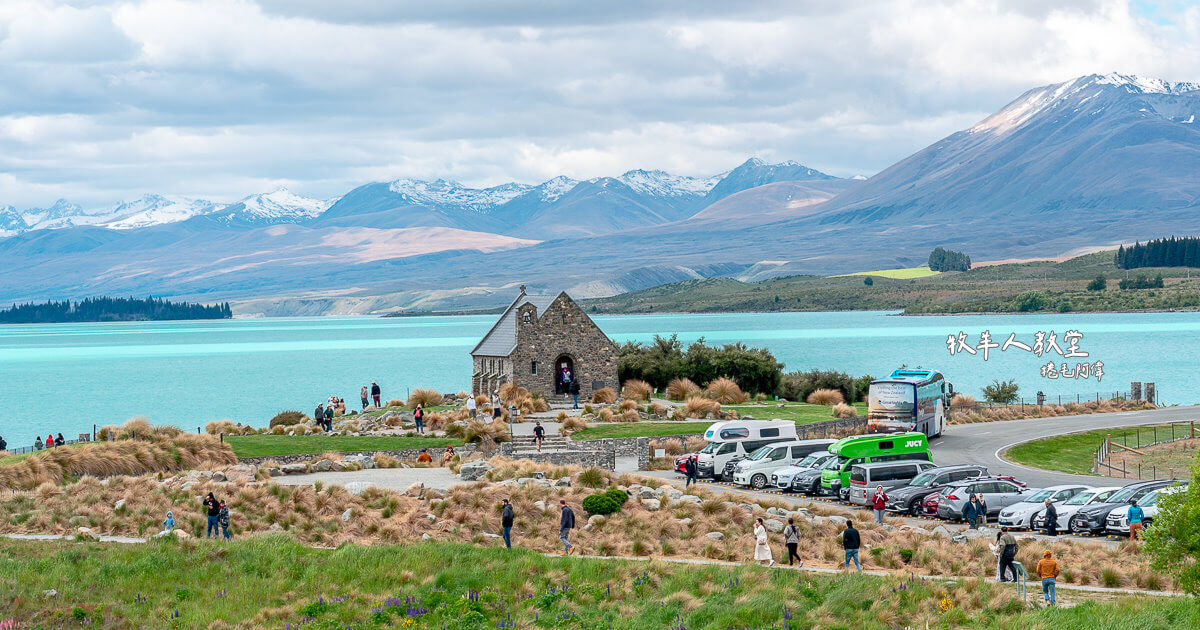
pixel 103 103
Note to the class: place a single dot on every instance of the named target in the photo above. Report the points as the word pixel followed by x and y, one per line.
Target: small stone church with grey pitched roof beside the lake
pixel 536 339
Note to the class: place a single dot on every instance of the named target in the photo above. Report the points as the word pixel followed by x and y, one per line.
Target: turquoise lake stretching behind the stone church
pixel 68 377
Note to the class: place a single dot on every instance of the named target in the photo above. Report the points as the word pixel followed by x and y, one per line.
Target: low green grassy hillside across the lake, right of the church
pixel 982 290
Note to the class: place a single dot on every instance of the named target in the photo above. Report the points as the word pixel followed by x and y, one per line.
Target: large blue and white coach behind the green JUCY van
pixel 909 400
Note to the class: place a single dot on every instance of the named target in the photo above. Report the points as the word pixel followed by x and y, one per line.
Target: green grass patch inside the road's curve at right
pixel 1075 453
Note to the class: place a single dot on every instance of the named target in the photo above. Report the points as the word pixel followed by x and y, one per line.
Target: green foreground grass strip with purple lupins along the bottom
pixel 275 583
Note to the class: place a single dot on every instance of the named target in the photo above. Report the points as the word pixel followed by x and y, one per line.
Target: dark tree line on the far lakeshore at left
pixel 112 310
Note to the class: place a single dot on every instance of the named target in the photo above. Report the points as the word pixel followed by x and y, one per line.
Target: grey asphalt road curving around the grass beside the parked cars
pixel 983 442
